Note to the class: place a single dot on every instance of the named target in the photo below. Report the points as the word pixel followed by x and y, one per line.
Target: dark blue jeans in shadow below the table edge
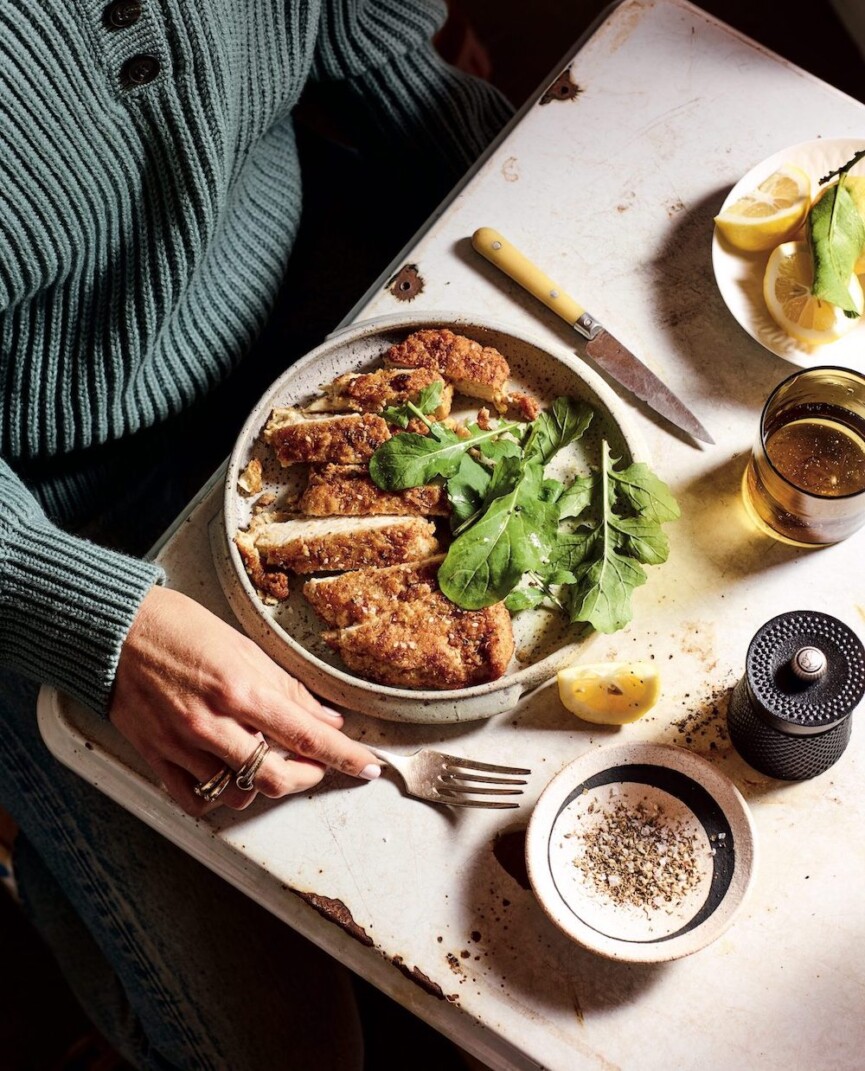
pixel 176 968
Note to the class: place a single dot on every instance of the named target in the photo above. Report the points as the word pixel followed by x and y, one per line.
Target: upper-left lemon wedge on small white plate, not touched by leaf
pixel 771 215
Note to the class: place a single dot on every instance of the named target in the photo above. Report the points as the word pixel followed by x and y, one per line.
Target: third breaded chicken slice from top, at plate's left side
pixel 298 438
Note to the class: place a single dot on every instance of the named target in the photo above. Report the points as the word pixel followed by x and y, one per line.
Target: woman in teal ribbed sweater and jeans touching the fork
pixel 149 199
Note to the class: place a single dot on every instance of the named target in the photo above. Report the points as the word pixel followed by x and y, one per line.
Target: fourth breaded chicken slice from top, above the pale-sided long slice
pixel 350 491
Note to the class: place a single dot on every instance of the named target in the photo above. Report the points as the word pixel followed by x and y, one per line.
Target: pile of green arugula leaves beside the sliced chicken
pixel 528 539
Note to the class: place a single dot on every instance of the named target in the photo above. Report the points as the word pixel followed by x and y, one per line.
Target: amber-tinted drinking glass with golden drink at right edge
pixel 806 481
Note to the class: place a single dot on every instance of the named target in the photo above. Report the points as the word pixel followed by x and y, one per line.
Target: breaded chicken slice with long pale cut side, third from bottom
pixel 335 545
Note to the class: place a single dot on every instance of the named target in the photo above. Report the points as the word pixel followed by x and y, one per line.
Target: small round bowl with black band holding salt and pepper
pixel 619 811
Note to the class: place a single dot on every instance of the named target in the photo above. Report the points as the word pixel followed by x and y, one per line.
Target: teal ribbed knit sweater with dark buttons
pixel 144 233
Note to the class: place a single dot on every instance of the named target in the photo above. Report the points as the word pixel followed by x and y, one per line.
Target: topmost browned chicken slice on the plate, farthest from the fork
pixel 475 371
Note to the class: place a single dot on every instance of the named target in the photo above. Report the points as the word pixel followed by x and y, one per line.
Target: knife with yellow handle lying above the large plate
pixel 603 349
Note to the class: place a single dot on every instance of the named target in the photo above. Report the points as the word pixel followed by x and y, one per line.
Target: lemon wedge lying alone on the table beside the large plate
pixel 610 693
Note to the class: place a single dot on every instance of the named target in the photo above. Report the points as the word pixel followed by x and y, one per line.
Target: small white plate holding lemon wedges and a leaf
pixel 740 276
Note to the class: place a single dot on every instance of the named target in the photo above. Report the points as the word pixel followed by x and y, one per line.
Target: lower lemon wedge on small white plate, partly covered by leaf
pixel 787 284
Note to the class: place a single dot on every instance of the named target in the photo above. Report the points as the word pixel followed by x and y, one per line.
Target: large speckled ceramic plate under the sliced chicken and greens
pixel 291 631
